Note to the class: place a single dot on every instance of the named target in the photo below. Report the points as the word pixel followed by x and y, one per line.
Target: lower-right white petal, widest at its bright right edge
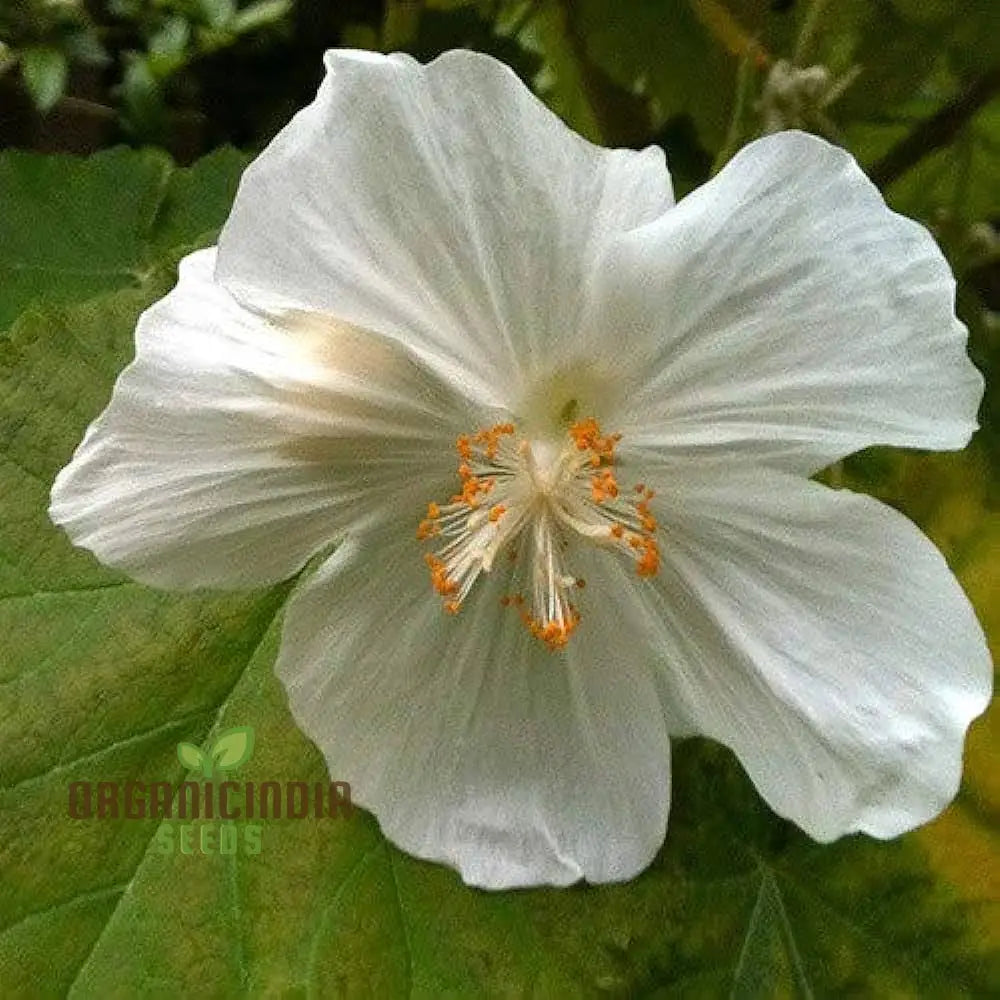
pixel 823 638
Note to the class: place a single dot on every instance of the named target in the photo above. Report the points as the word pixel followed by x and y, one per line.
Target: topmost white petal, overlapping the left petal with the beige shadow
pixel 443 205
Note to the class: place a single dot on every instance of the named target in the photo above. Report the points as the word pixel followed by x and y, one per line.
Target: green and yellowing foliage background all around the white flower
pixel 104 676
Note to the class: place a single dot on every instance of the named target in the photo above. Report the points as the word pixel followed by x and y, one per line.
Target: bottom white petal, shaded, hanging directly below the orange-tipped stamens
pixel 471 743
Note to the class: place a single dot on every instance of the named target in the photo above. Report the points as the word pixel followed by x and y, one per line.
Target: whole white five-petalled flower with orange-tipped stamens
pixel 435 311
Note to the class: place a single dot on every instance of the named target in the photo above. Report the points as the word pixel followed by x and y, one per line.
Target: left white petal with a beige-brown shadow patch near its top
pixel 234 446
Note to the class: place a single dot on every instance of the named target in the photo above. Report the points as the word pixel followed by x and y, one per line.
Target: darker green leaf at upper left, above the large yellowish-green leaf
pixel 71 228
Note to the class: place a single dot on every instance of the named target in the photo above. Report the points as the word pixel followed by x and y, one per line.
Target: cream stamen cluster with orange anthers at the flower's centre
pixel 530 499
